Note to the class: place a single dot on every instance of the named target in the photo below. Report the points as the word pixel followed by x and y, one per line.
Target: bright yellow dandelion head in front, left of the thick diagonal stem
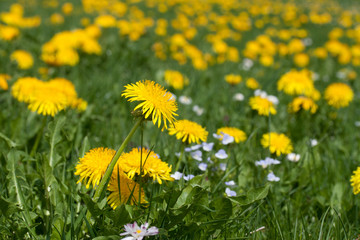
pixel 93 165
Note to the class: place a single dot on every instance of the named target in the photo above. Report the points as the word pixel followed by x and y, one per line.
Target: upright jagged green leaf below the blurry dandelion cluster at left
pixel 55 138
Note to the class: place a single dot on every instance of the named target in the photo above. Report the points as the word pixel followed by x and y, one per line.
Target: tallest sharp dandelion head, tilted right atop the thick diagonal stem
pixel 156 102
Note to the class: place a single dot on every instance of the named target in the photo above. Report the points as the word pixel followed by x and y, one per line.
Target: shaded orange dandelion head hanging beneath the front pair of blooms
pixel 122 188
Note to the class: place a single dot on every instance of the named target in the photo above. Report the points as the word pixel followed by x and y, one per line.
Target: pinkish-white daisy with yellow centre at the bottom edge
pixel 138 233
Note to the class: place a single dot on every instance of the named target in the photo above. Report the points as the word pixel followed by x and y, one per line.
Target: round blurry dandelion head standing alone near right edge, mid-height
pixel 338 95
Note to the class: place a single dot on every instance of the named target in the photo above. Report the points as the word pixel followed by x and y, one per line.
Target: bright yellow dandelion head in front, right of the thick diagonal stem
pixel 151 165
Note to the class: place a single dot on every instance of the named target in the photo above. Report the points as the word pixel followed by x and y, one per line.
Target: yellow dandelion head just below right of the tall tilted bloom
pixel 188 131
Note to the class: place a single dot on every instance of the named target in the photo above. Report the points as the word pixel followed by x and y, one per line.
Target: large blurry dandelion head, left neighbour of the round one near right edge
pixel 296 83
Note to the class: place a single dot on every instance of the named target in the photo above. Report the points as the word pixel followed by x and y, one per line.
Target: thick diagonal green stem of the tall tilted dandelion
pixel 104 181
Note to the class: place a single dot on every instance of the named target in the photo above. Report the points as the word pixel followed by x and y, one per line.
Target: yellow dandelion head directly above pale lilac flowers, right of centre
pixel 277 143
